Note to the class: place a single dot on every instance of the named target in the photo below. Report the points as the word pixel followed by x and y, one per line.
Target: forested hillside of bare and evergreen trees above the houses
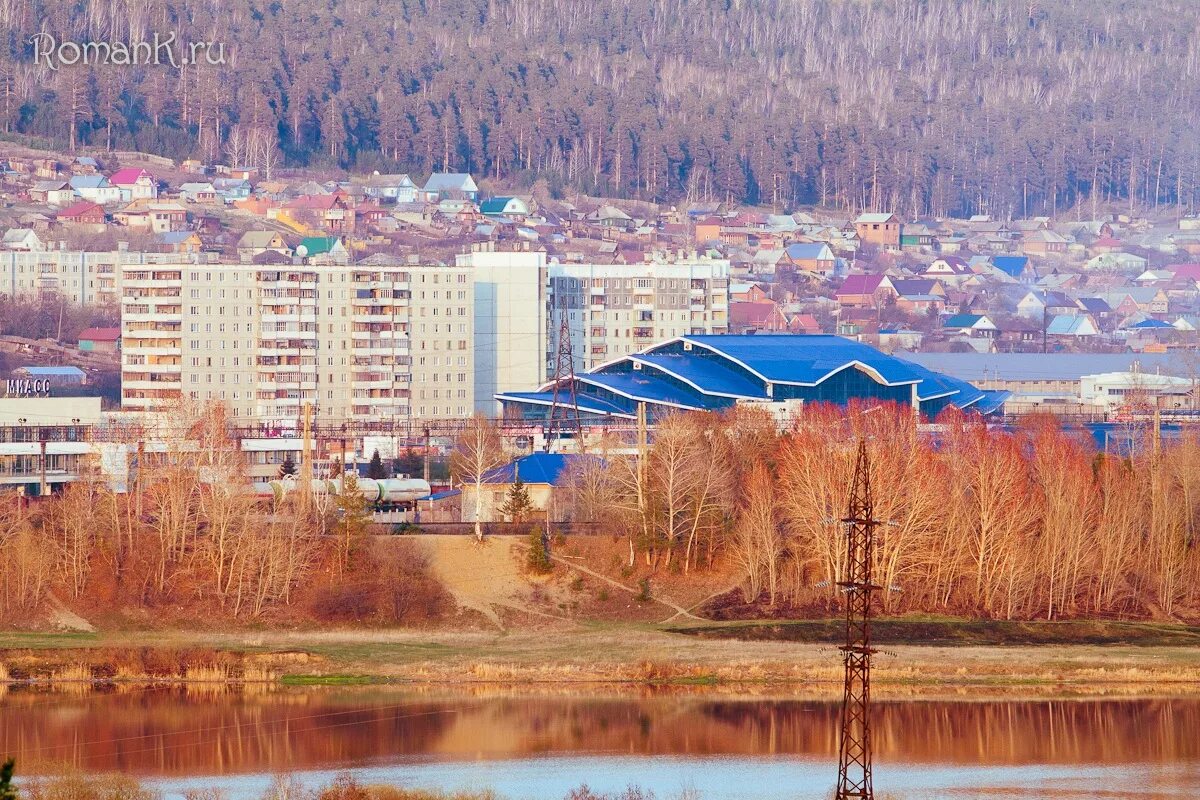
pixel 926 106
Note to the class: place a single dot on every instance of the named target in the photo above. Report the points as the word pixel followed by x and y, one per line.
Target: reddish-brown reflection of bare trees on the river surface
pixel 176 733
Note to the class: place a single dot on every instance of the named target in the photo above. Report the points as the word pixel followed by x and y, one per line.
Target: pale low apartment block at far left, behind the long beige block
pixel 81 278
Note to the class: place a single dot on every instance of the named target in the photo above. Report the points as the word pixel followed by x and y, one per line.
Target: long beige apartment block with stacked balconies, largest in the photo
pixel 376 341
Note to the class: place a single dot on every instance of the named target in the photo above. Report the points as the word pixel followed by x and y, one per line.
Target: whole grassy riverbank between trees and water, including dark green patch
pixel 914 654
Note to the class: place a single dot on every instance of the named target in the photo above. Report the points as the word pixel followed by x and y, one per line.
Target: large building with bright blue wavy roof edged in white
pixel 779 372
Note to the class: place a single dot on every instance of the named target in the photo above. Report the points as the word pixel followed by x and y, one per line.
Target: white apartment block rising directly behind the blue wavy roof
pixel 614 310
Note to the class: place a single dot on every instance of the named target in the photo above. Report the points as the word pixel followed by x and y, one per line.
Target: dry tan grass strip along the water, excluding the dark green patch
pixel 573 655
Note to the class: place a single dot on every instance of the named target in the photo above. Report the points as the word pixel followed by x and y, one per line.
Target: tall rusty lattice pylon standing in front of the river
pixel 855 754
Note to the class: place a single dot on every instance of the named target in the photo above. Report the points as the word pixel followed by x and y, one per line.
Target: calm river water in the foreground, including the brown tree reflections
pixel 541 747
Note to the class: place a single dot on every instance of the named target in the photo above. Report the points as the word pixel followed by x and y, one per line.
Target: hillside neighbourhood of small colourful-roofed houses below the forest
pixel 808 272
